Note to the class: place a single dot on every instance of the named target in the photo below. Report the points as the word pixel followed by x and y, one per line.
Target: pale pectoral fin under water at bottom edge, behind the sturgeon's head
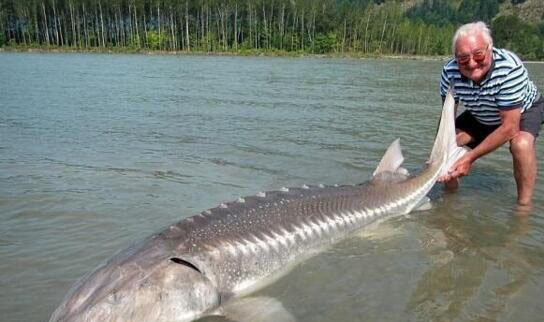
pixel 256 309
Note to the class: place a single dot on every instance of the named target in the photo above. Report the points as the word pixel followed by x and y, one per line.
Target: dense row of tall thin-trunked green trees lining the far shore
pixel 283 27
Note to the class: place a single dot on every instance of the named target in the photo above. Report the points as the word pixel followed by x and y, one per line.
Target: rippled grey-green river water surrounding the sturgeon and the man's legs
pixel 99 151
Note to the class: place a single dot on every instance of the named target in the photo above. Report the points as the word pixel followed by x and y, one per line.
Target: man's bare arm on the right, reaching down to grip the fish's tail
pixel 508 129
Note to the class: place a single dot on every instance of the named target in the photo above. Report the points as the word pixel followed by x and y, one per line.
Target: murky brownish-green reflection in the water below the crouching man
pixel 479 264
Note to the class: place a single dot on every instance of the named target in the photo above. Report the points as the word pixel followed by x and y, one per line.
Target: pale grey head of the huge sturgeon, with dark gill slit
pixel 142 284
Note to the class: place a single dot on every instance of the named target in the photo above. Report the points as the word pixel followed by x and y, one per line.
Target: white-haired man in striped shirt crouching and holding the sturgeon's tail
pixel 502 105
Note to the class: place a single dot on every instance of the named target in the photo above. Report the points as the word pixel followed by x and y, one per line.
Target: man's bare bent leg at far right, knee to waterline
pixel 523 152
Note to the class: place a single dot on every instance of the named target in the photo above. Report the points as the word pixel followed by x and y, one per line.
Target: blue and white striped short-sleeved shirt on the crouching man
pixel 506 86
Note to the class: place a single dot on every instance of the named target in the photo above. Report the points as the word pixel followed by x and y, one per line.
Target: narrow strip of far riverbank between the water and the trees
pixel 241 52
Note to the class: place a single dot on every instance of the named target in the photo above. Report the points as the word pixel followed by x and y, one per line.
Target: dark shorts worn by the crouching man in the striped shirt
pixel 531 121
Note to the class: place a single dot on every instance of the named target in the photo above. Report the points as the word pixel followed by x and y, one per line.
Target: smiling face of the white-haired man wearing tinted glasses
pixel 474 56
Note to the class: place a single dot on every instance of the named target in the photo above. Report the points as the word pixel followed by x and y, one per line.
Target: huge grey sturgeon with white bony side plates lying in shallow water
pixel 198 265
